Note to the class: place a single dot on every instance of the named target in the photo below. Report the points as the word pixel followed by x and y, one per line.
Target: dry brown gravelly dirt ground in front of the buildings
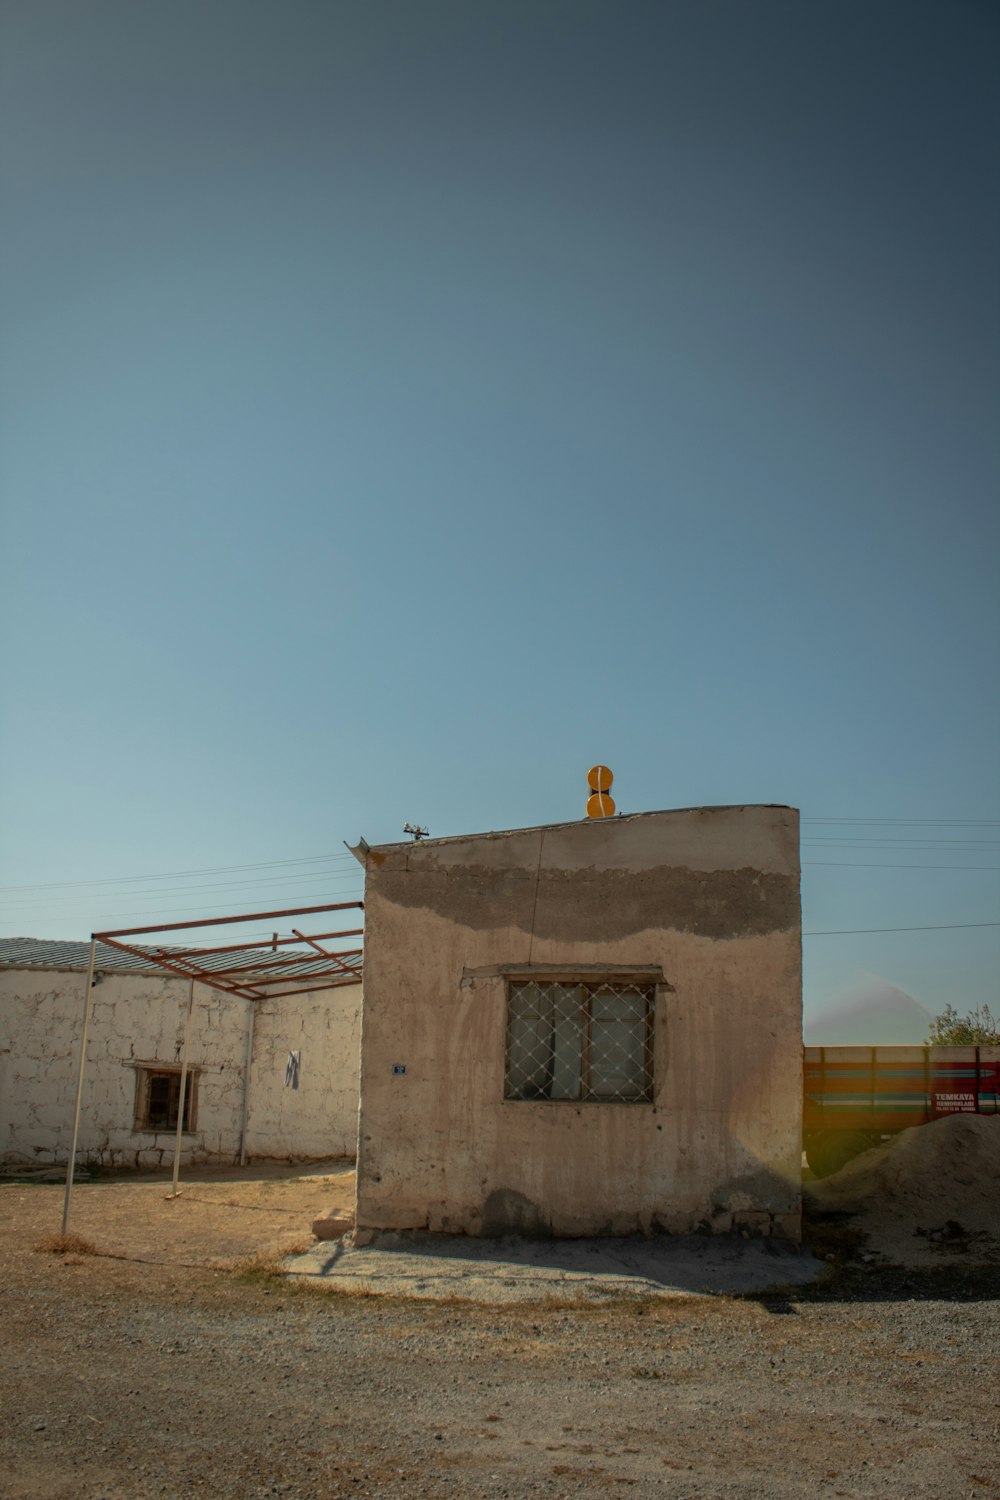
pixel 178 1364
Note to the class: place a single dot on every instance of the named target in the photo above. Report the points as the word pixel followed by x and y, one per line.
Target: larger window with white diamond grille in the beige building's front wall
pixel 572 1040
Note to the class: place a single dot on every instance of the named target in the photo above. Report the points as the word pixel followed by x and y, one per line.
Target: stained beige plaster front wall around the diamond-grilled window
pixel 711 896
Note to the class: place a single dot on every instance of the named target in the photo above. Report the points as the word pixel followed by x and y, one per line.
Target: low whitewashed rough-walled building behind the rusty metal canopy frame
pixel 137 1031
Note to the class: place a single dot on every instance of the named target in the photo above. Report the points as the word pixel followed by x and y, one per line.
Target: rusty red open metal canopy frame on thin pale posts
pixel 253 970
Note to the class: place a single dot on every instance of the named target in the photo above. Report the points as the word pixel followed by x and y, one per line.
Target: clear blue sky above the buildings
pixel 406 406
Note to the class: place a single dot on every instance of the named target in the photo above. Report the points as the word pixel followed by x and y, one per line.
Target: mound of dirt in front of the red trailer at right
pixel 927 1196
